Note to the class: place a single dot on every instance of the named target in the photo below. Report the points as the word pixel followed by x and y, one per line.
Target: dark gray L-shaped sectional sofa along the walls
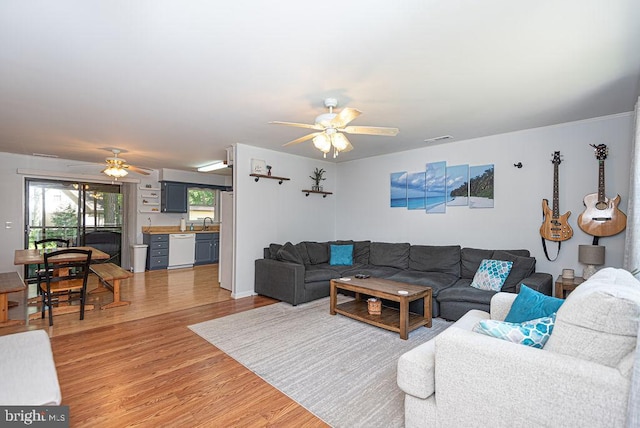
pixel 302 272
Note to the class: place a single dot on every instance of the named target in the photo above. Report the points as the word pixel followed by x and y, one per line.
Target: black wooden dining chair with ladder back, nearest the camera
pixel 65 274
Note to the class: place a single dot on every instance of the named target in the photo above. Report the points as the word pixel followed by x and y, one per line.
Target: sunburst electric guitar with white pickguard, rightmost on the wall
pixel 601 216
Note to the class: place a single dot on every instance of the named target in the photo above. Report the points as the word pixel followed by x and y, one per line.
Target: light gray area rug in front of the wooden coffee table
pixel 340 369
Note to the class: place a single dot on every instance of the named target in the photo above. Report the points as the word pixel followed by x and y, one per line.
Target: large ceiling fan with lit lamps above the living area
pixel 331 128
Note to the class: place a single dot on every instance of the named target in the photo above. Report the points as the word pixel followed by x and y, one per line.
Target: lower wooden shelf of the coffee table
pixel 389 319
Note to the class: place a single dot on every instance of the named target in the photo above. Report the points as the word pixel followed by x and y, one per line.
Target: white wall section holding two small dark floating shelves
pixel 269 212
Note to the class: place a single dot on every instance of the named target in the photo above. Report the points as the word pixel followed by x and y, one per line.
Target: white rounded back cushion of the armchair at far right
pixel 599 320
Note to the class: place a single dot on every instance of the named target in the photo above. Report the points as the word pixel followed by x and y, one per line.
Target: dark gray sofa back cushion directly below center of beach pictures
pixel 430 258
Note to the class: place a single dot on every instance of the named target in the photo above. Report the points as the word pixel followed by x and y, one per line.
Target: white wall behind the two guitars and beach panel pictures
pixel 363 191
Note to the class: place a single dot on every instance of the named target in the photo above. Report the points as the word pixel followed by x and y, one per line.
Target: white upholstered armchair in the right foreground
pixel 466 379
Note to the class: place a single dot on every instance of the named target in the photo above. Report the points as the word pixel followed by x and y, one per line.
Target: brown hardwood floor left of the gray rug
pixel 140 365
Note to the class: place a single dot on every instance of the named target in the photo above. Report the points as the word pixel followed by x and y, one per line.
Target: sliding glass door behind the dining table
pixel 83 213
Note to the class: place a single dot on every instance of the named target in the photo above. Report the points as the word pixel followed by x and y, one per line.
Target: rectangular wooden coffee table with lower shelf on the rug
pixel 401 321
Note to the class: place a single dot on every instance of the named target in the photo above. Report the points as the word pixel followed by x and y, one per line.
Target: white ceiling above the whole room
pixel 173 82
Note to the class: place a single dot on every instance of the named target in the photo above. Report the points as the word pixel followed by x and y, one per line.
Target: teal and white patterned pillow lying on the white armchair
pixel 534 333
